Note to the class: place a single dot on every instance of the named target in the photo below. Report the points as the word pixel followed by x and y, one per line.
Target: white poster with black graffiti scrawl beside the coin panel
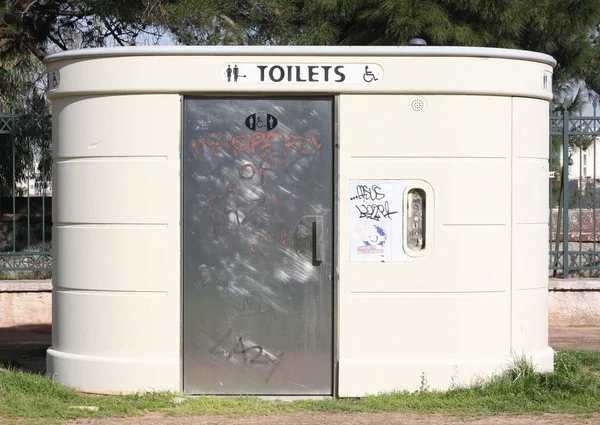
pixel 376 220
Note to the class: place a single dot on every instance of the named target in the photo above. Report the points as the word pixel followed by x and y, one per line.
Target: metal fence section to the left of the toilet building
pixel 25 193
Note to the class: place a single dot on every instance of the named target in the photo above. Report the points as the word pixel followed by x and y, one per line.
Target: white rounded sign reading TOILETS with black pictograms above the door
pixel 253 73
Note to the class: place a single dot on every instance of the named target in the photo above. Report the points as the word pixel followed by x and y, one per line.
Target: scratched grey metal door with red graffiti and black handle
pixel 257 246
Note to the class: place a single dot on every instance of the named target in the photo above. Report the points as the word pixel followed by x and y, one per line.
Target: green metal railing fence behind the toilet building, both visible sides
pixel 26 193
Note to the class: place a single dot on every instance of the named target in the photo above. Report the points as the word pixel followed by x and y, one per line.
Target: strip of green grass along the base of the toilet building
pixel 573 388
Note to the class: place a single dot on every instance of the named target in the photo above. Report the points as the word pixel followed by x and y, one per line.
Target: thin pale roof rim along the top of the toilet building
pixel 368 51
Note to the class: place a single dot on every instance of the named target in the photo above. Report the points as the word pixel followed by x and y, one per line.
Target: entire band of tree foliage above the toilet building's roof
pixel 565 29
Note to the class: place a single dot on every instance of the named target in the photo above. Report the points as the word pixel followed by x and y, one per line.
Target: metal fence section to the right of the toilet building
pixel 574 192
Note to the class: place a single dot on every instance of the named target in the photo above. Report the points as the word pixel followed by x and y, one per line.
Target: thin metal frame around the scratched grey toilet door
pixel 335 97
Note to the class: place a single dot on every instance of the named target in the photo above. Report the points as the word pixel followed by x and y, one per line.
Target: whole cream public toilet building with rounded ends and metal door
pixel 298 221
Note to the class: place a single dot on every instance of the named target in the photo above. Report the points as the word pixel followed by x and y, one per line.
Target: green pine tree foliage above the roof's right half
pixel 565 29
